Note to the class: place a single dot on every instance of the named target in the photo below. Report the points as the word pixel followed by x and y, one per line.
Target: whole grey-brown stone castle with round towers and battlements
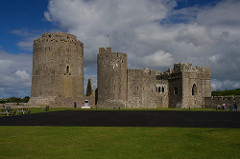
pixel 58 79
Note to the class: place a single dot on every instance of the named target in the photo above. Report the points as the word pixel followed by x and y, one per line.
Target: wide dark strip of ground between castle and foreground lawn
pixel 127 119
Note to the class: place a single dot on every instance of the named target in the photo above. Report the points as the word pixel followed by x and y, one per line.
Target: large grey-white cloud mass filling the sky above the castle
pixel 154 34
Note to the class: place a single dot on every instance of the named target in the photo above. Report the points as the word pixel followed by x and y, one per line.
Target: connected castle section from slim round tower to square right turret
pixel 180 87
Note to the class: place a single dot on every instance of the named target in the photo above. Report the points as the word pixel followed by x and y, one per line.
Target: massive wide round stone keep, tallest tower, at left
pixel 57 68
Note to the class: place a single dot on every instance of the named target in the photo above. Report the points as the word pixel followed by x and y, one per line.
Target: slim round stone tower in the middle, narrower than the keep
pixel 112 79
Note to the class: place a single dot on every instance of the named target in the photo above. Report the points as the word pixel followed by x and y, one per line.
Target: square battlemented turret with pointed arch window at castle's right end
pixel 188 86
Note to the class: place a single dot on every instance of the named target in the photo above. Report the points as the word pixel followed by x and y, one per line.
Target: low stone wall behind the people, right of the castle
pixel 213 102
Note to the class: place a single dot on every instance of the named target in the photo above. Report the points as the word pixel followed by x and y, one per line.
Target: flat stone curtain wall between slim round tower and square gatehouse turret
pixel 144 91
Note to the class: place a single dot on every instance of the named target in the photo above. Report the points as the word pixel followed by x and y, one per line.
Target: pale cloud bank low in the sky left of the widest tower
pixel 15 74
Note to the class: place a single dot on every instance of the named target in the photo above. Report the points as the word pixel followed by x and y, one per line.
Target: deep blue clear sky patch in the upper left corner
pixel 21 15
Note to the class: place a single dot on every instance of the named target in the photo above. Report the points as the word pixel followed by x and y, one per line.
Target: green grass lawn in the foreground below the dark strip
pixel 118 142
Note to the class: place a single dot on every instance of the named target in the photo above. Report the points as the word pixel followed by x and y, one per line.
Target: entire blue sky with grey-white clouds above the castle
pixel 154 34
